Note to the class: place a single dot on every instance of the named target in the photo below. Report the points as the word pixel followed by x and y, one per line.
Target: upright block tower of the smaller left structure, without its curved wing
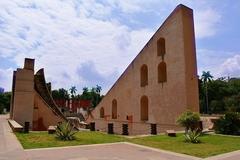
pixel 23 94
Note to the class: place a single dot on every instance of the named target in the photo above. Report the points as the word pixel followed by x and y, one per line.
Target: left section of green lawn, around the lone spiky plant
pixel 45 140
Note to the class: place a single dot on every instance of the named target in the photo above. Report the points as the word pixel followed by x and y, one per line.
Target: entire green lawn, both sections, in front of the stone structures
pixel 210 144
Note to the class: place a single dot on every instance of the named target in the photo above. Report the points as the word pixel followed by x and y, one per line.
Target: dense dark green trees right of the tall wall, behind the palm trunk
pixel 223 95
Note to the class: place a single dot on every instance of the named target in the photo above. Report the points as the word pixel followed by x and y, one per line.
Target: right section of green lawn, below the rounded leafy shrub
pixel 210 144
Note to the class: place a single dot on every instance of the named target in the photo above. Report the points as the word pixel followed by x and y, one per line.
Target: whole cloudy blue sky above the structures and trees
pixel 90 42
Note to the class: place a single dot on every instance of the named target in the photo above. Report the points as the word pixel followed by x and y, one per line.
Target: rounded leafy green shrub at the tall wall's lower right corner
pixel 189 120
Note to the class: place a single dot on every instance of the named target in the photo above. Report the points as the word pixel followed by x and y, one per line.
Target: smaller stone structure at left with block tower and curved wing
pixel 31 99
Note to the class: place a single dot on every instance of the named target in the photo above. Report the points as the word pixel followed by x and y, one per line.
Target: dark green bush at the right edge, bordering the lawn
pixel 228 124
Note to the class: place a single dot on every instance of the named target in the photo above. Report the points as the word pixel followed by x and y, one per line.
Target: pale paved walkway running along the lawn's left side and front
pixel 10 149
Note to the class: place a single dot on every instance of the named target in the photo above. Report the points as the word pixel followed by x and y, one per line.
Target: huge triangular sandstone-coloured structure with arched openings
pixel 159 84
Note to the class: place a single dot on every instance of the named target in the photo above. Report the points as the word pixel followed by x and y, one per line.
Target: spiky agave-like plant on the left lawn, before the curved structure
pixel 65 131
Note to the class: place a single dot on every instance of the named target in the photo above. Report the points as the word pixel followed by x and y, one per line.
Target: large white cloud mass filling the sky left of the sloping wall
pixel 62 40
